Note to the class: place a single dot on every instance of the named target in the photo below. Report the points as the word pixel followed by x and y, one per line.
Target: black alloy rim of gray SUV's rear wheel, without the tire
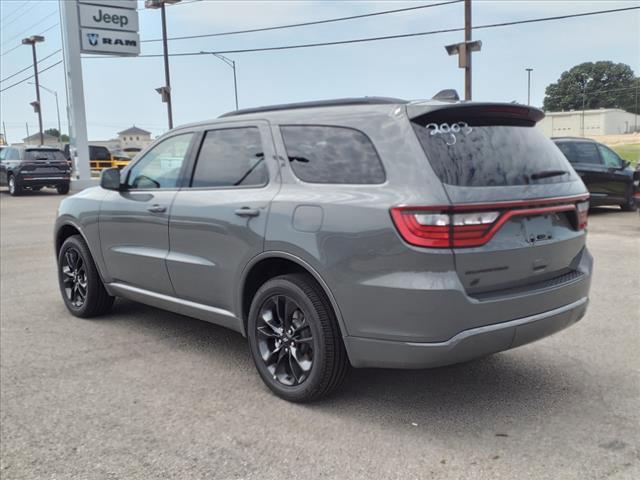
pixel 285 340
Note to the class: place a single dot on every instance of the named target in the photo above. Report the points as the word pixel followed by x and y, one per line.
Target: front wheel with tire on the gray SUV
pixel 75 268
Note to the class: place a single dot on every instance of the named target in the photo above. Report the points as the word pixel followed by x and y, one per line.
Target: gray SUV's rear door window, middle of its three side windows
pixel 230 158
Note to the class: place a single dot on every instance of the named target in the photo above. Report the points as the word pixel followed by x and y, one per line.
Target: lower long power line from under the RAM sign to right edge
pixel 386 37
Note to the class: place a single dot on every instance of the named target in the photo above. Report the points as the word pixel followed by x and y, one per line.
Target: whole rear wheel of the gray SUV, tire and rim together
pixel 307 313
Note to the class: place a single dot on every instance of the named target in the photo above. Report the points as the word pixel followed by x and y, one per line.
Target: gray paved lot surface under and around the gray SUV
pixel 144 394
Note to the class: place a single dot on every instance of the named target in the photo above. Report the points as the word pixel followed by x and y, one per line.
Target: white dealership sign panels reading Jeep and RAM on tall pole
pixel 109 27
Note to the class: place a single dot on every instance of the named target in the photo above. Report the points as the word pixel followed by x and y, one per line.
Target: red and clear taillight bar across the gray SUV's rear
pixel 472 225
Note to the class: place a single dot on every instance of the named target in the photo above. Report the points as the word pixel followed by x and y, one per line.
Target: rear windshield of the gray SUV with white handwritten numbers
pixel 472 153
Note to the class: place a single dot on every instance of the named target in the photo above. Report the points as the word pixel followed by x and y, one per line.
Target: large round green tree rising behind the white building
pixel 597 84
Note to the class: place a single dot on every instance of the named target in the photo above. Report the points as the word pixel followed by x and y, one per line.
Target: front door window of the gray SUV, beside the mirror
pixel 160 167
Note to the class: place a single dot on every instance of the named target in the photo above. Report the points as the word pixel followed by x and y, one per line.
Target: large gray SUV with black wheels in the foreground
pixel 369 232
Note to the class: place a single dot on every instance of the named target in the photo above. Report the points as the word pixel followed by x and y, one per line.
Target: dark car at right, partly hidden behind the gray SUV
pixel 609 178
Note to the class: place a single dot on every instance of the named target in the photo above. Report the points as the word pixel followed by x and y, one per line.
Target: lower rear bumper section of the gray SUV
pixel 466 345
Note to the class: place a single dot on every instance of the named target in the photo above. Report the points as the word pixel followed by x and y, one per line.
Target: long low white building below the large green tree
pixel 576 123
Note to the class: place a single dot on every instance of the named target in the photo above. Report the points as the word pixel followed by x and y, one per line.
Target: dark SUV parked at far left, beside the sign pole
pixel 32 168
